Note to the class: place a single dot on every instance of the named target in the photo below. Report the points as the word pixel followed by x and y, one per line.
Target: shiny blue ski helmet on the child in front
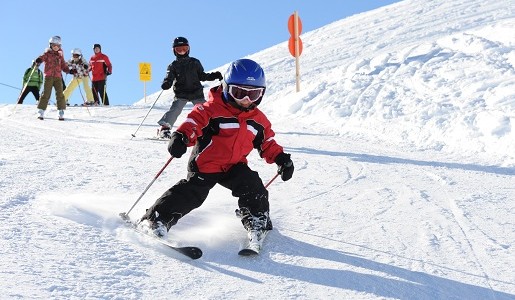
pixel 243 72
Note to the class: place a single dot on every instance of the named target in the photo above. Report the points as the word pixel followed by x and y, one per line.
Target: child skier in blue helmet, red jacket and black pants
pixel 223 131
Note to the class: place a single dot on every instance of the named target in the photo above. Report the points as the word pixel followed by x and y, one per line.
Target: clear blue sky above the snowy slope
pixel 131 32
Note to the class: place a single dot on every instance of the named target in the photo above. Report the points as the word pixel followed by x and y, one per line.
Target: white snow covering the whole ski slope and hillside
pixel 403 140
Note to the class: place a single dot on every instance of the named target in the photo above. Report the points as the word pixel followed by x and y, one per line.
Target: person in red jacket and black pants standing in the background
pixel 100 67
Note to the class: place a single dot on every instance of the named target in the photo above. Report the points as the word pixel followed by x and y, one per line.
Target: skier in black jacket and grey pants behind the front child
pixel 185 74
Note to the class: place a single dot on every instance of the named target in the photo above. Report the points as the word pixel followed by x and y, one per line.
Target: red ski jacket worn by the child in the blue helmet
pixel 224 135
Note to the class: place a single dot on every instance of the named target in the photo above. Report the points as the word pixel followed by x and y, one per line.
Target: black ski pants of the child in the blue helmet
pixel 190 193
